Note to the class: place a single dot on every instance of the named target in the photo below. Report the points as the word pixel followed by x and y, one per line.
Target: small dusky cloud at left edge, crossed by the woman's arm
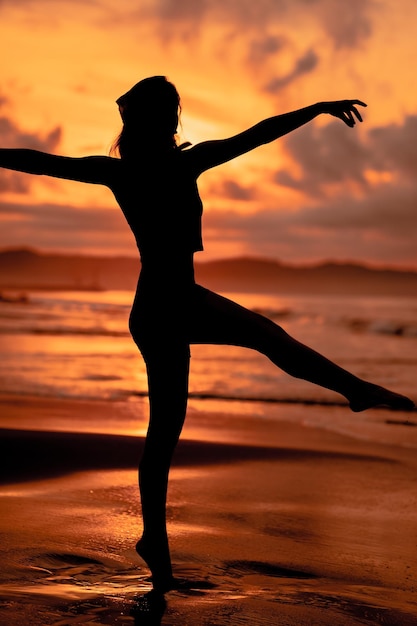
pixel 11 136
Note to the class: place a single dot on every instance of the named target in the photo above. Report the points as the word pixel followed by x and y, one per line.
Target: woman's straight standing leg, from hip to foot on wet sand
pixel 168 372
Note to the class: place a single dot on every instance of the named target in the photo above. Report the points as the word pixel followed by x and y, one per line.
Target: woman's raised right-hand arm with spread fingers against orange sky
pixel 211 153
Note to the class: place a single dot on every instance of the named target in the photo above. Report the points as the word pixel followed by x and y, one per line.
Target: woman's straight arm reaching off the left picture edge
pixel 94 169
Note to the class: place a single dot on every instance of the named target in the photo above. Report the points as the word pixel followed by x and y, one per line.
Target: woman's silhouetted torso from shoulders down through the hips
pixel 160 200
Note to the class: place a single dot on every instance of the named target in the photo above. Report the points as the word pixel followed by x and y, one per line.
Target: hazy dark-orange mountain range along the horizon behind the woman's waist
pixel 25 269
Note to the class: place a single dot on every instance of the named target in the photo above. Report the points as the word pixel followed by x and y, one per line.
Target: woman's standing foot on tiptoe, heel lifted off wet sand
pixel 157 558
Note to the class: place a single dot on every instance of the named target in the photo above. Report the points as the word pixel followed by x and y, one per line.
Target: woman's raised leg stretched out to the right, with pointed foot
pixel 218 320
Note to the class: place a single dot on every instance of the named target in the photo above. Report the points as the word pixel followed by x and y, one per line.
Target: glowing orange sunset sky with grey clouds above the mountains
pixel 324 192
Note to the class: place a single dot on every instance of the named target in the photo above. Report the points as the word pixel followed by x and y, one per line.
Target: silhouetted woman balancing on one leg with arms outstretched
pixel 154 182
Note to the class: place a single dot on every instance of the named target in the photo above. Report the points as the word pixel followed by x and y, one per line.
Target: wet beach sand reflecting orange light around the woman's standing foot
pixel 289 525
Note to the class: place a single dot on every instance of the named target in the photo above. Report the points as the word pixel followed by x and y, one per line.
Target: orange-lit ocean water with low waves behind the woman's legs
pixel 77 345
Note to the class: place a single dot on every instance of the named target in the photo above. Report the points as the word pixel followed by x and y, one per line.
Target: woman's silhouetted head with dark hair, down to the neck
pixel 150 113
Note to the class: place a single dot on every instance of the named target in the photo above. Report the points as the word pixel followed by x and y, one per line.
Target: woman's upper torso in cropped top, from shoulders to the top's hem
pixel 159 198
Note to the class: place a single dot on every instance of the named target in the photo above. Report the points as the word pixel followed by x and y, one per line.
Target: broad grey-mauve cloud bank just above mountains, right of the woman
pixel 382 228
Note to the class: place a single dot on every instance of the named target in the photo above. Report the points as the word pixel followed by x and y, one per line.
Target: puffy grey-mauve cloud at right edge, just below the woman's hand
pixel 331 155
